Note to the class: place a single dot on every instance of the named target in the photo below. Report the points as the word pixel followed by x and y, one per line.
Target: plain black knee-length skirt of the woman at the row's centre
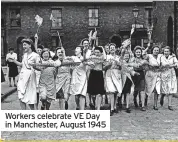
pixel 96 83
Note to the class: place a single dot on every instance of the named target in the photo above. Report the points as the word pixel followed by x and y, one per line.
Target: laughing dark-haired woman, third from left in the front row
pixel 63 79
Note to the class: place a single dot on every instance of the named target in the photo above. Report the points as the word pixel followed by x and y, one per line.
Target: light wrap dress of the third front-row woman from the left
pixel 63 79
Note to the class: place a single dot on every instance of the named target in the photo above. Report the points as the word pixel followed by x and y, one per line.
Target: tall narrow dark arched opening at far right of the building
pixel 170 32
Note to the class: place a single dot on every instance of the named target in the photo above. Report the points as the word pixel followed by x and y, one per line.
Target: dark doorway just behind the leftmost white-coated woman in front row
pixel 19 48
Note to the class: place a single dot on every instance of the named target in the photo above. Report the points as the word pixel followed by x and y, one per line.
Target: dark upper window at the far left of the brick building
pixel 15 17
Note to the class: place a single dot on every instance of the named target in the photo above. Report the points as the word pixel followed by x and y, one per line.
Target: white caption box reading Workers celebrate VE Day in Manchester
pixel 55 120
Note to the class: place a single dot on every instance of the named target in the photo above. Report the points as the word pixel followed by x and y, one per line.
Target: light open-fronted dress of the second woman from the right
pixel 152 77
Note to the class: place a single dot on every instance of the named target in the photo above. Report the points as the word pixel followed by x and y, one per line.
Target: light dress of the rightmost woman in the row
pixel 168 75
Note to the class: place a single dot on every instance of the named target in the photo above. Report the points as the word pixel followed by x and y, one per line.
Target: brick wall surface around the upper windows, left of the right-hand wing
pixel 113 17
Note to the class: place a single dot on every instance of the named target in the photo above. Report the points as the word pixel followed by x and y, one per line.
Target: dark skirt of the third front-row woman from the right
pixel 139 81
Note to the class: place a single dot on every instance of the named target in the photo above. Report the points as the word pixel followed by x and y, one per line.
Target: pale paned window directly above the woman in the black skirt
pixel 93 17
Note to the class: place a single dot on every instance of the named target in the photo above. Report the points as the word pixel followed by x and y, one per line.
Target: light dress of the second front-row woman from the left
pixel 47 85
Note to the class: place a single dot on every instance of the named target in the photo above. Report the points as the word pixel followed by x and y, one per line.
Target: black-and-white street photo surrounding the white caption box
pixel 115 56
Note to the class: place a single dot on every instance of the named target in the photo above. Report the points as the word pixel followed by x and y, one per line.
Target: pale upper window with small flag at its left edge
pixel 56 17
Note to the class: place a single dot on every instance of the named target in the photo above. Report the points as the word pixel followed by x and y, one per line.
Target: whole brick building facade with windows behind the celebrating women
pixel 113 21
